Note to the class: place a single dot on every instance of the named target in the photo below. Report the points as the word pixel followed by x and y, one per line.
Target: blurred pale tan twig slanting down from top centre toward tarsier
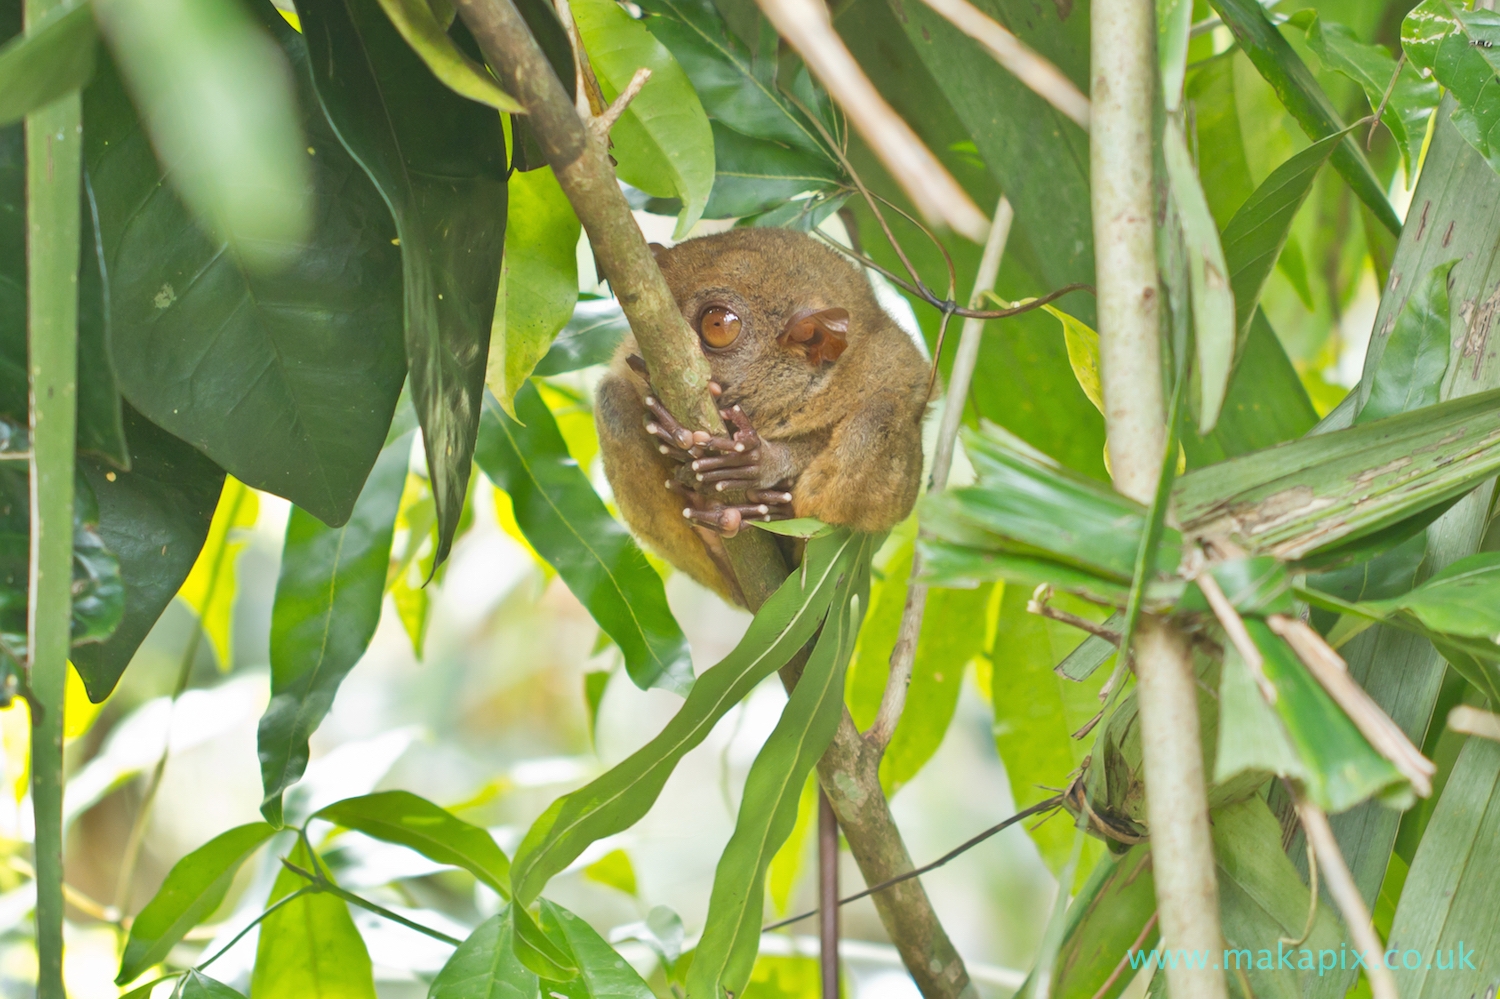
pixel 808 28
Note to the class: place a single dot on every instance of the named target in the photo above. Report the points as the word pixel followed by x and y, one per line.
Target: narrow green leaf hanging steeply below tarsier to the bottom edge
pixel 731 940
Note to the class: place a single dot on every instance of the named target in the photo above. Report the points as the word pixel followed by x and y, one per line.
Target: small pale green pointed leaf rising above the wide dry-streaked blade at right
pixel 1409 373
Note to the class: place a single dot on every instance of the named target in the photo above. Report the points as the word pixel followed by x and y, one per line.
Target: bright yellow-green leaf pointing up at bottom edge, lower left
pixel 310 947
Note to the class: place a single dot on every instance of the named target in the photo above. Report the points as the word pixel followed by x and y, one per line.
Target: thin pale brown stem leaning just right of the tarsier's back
pixel 893 701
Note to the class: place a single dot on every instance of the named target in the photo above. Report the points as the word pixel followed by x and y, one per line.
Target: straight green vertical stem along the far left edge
pixel 53 176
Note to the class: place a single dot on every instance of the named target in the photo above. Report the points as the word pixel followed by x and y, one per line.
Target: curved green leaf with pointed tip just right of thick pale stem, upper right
pixel 1256 236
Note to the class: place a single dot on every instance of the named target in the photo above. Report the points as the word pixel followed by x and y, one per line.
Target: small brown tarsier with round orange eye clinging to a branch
pixel 821 391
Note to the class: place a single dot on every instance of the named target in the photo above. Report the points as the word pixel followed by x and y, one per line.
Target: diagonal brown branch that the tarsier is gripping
pixel 848 772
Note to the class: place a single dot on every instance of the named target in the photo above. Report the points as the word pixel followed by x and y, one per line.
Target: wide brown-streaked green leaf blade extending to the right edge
pixel 1319 496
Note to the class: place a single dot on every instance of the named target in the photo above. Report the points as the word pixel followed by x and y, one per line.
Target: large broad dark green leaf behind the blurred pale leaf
pixel 308 359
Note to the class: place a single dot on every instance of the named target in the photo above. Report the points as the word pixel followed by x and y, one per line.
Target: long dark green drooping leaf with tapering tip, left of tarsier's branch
pixel 440 163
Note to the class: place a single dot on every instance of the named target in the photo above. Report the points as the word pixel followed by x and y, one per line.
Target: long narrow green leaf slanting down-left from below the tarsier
pixel 617 800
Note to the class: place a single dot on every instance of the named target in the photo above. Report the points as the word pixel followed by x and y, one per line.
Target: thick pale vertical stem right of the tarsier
pixel 1123 91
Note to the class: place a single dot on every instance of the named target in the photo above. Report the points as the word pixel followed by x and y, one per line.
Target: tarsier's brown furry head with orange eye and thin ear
pixel 770 305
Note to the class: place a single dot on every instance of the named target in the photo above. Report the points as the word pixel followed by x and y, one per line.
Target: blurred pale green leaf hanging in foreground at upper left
pixel 221 109
